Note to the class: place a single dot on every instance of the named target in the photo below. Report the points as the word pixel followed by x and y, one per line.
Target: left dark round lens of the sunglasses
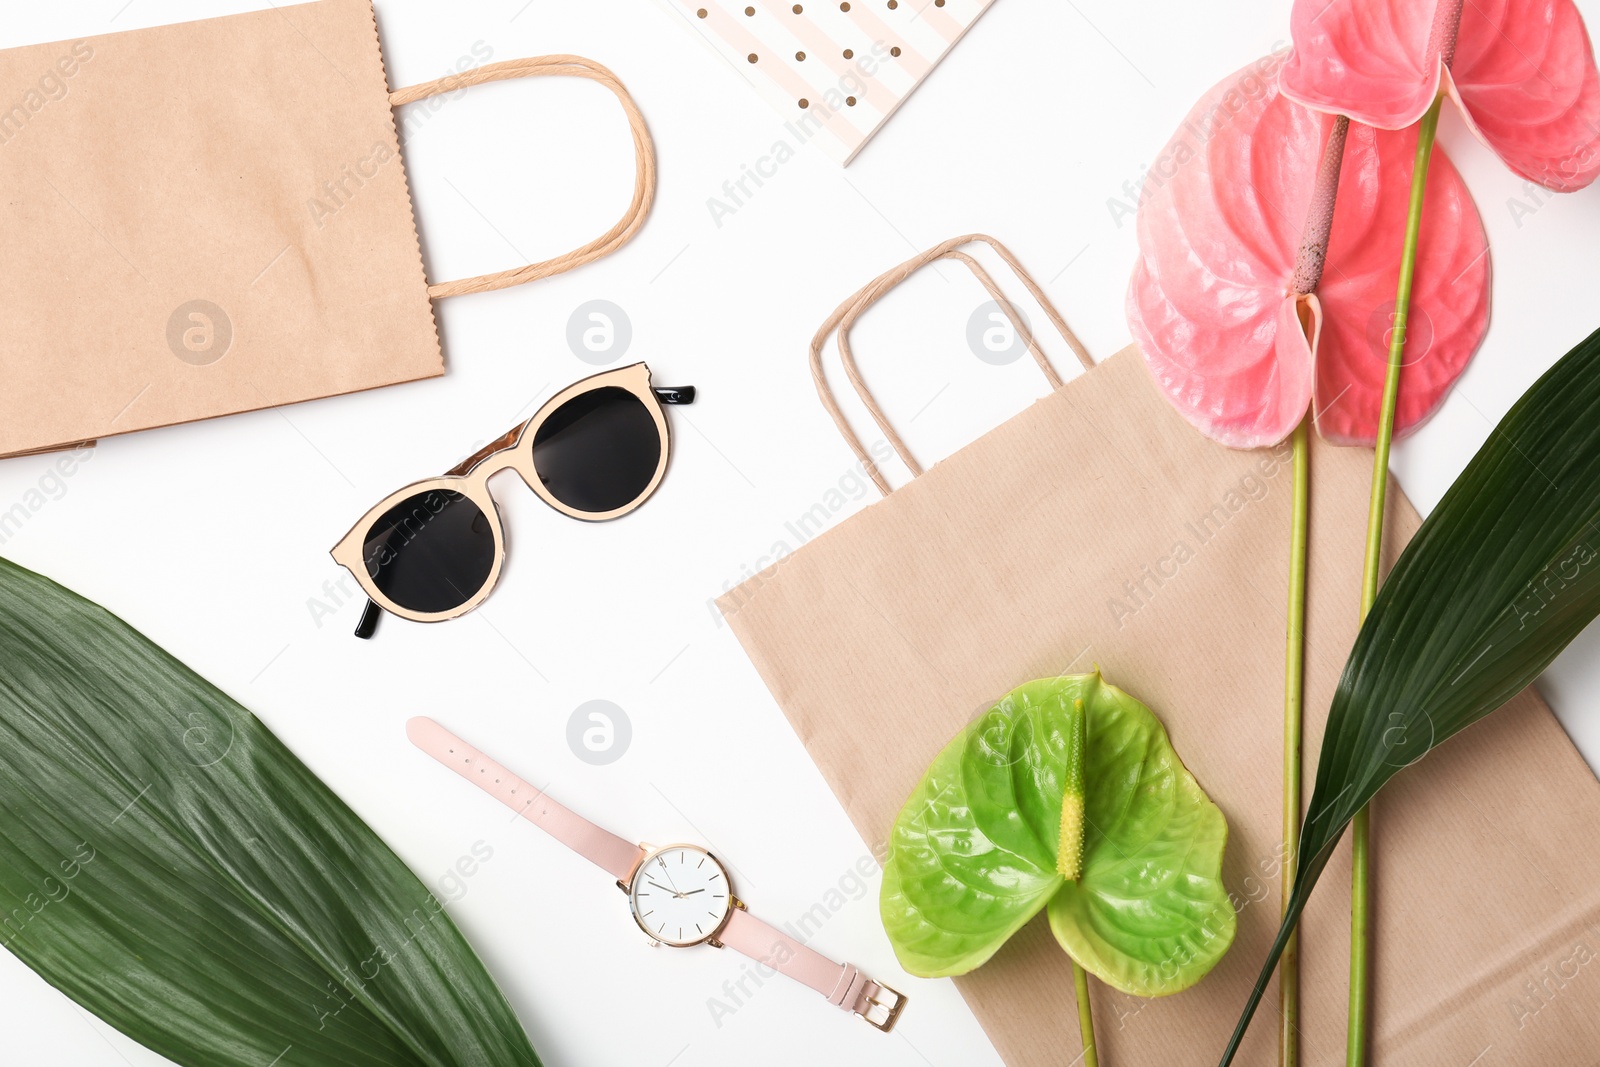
pixel 431 553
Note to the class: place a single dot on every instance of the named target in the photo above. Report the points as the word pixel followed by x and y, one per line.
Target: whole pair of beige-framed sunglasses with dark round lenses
pixel 434 549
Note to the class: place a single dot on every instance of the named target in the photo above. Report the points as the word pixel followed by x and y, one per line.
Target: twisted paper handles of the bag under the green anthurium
pixel 846 316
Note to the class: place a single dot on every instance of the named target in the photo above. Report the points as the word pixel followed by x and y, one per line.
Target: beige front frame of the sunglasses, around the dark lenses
pixel 514 450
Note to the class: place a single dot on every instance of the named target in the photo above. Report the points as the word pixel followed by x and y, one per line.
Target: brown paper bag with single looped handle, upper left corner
pixel 212 218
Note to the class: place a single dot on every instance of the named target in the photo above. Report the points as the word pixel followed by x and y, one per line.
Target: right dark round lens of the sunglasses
pixel 599 450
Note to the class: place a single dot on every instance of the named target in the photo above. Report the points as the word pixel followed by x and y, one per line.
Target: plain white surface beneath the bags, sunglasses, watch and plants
pixel 214 538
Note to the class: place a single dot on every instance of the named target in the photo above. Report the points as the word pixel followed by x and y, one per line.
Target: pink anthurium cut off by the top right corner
pixel 1522 73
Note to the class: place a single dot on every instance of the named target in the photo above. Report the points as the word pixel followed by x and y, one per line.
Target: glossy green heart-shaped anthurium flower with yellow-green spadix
pixel 1065 777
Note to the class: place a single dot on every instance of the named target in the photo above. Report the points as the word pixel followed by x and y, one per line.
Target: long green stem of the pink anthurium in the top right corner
pixel 1361 828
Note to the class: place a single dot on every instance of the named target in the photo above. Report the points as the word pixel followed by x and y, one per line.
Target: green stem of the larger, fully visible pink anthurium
pixel 1294 700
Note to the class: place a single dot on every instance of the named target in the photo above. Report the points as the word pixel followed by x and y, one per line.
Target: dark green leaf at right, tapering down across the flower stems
pixel 1497 583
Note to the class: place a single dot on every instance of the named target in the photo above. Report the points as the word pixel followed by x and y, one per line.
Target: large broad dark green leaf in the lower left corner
pixel 170 866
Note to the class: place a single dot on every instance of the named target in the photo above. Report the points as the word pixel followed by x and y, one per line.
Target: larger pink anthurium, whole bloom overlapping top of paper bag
pixel 1214 306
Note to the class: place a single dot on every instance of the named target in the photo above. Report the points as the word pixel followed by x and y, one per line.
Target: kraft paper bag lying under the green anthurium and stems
pixel 1097 527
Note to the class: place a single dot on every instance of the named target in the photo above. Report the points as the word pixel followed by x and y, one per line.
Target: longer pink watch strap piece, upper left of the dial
pixel 606 850
